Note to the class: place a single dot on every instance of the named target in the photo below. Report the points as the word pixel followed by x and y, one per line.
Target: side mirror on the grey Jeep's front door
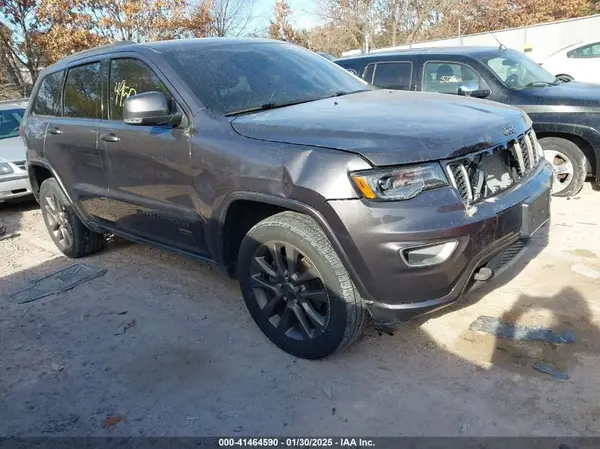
pixel 149 108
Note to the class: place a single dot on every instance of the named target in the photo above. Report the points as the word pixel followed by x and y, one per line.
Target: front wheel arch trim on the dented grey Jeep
pixel 352 263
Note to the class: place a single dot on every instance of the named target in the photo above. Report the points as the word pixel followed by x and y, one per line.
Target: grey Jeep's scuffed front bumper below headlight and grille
pixel 373 233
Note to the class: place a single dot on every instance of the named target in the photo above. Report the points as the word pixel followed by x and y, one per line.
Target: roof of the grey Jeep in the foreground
pixel 158 47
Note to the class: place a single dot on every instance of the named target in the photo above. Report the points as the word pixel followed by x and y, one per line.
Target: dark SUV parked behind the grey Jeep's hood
pixel 566 116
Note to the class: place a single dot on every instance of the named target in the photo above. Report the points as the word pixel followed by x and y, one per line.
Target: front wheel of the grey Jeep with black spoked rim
pixel 313 256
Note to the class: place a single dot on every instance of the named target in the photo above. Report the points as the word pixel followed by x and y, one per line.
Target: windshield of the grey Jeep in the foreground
pixel 230 79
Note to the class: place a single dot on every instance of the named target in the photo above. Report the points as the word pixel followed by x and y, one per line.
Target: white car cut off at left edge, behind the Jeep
pixel 14 182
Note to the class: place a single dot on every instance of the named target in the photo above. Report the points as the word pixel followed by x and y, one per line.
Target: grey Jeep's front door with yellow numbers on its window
pixel 151 181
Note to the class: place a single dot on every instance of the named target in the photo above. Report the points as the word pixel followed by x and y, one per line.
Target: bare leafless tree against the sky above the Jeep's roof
pixel 231 17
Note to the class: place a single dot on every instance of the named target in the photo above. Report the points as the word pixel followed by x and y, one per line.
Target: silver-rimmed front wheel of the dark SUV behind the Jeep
pixel 569 165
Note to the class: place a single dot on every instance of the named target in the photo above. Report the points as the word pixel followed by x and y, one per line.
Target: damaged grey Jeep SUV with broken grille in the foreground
pixel 329 200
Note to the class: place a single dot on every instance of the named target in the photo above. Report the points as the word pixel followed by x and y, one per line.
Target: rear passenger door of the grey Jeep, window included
pixel 71 141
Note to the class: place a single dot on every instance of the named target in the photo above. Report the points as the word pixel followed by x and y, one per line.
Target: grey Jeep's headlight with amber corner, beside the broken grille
pixel 399 183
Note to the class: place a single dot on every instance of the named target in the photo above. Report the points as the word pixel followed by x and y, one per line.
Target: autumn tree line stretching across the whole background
pixel 35 33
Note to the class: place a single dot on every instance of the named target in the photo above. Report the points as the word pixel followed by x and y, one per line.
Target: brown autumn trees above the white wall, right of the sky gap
pixel 354 24
